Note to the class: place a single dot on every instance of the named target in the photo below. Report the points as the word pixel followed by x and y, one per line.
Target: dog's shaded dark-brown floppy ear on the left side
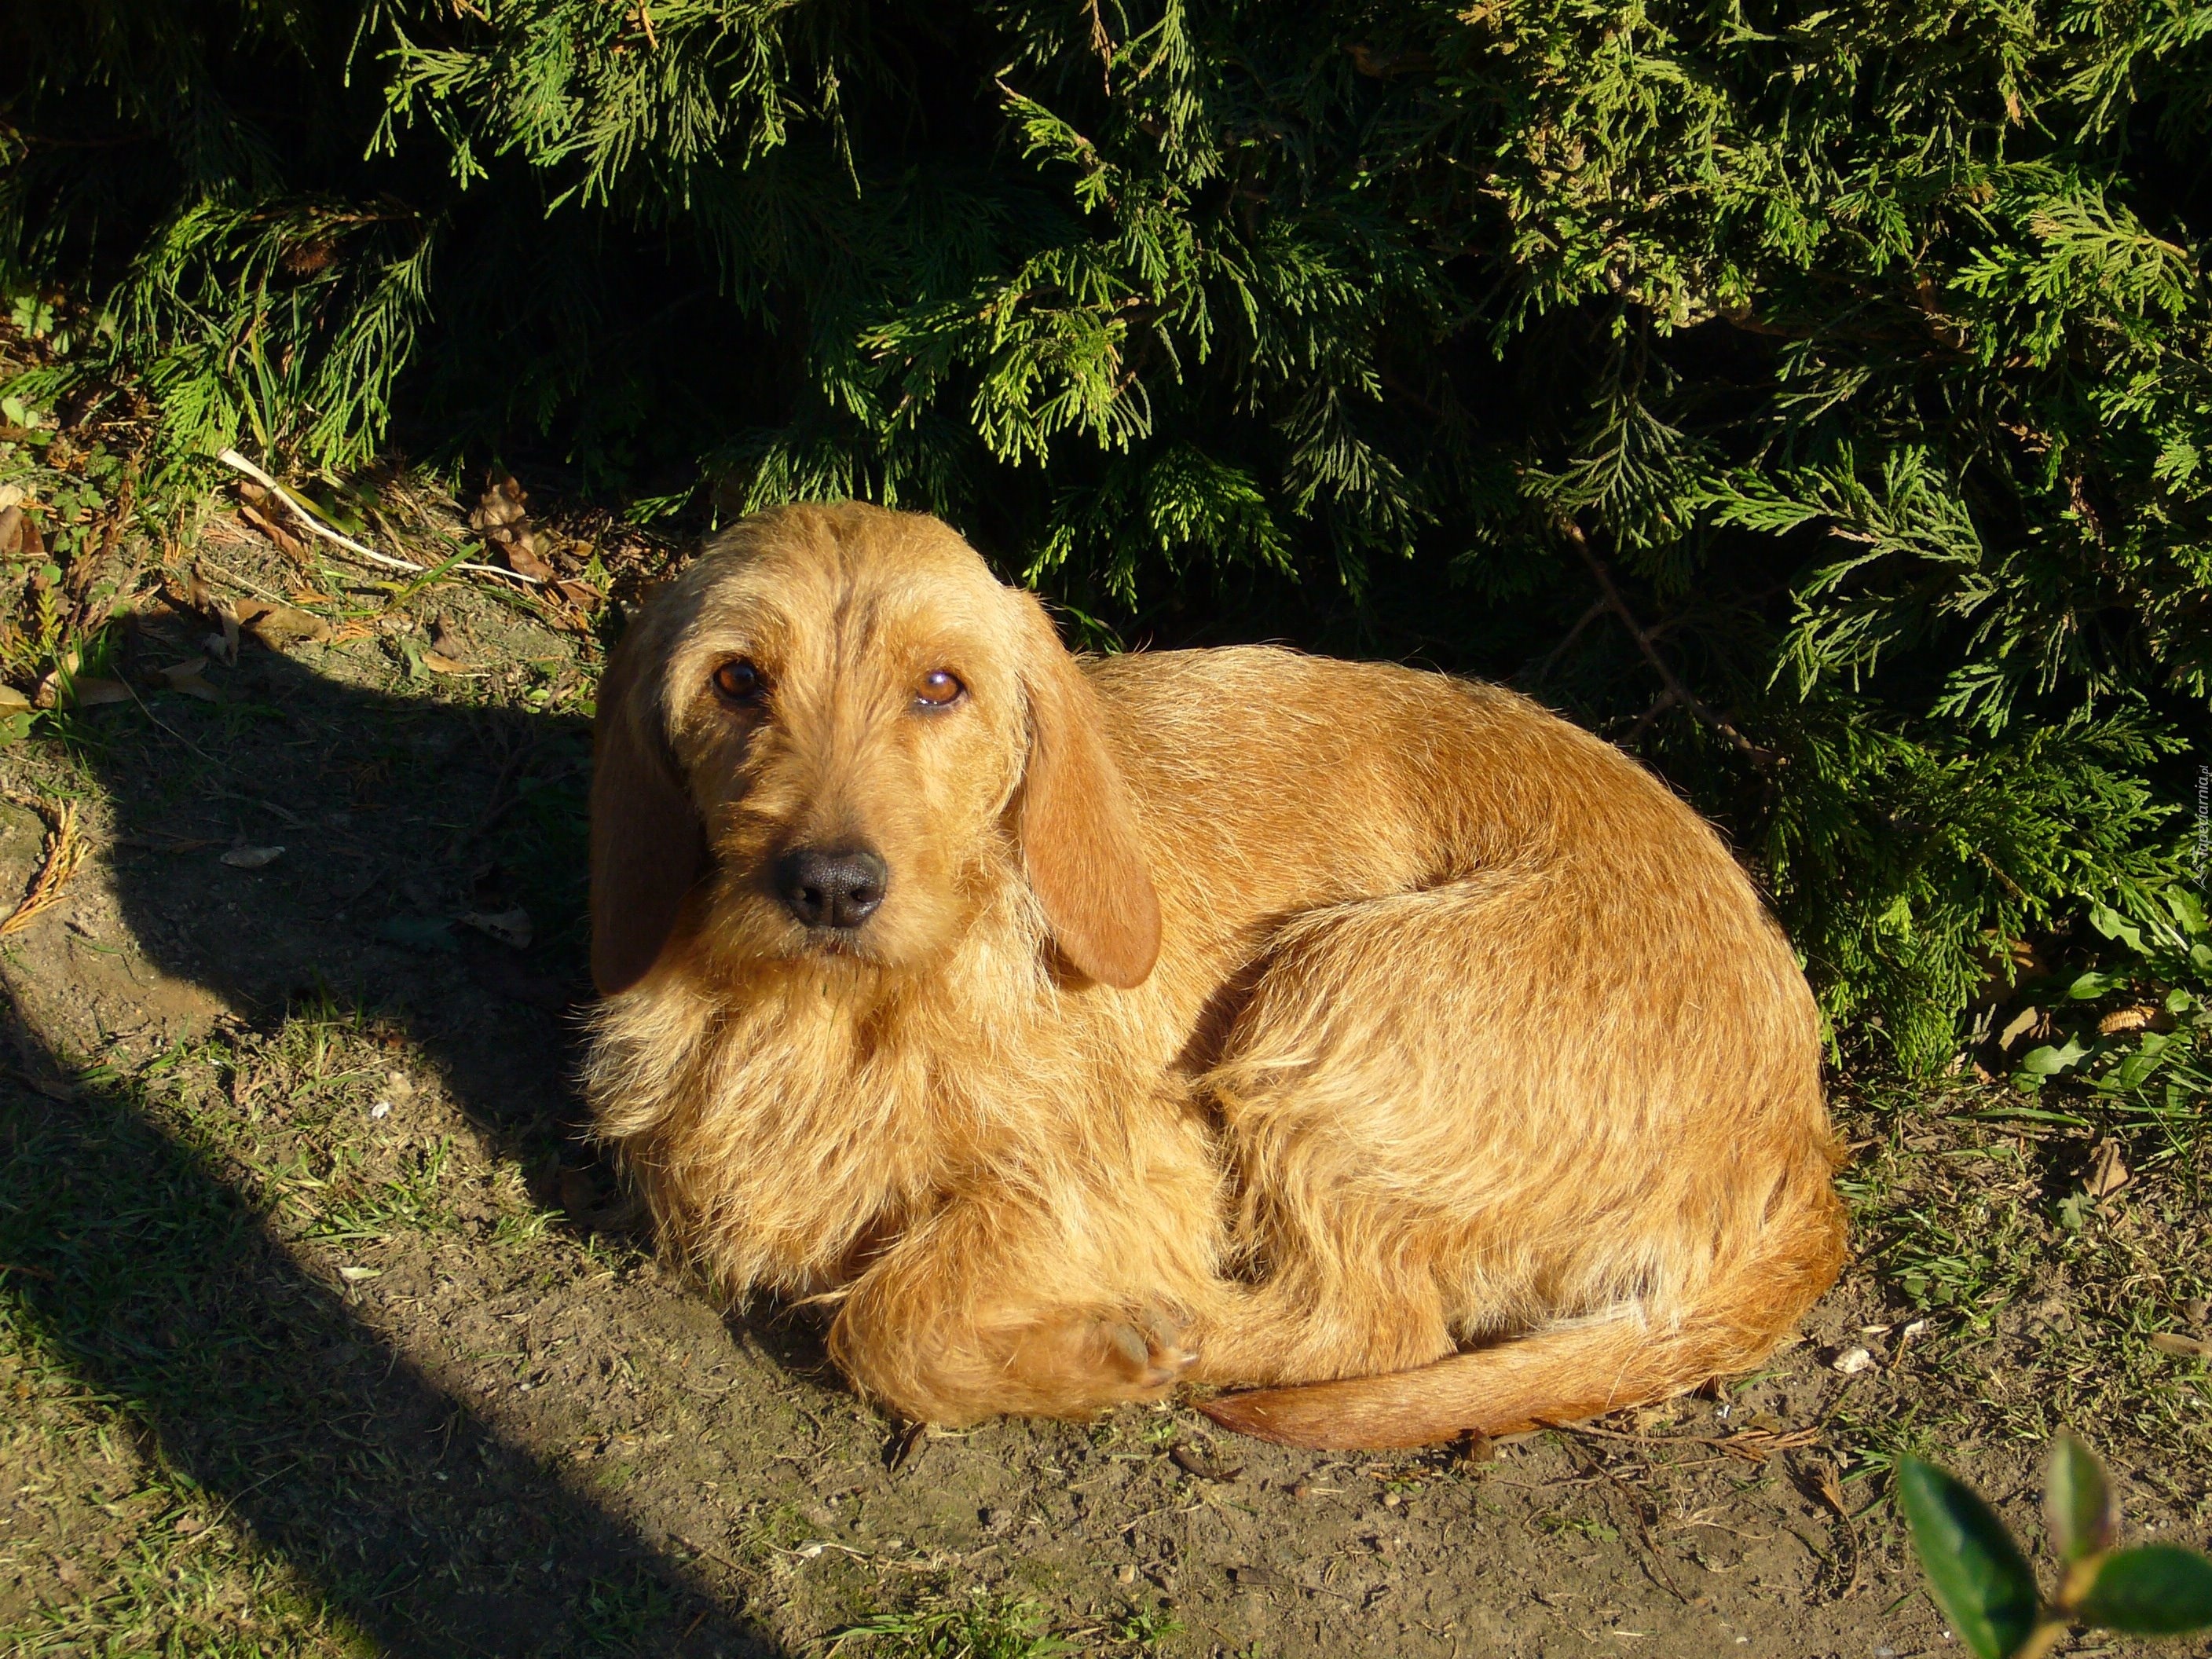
pixel 647 842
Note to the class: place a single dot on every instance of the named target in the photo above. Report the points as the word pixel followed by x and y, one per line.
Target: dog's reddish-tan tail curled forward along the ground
pixel 1561 1375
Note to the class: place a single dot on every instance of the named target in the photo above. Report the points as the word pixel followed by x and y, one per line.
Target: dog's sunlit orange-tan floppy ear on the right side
pixel 1076 822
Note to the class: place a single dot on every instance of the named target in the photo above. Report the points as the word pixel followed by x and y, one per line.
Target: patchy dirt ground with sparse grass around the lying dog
pixel 324 1331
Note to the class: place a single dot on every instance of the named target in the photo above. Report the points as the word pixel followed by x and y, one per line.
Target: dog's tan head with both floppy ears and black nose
pixel 837 735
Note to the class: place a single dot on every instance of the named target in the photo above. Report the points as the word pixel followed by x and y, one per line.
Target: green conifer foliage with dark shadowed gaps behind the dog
pixel 1817 399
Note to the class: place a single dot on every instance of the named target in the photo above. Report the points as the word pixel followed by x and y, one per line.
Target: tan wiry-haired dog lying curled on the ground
pixel 1357 1036
